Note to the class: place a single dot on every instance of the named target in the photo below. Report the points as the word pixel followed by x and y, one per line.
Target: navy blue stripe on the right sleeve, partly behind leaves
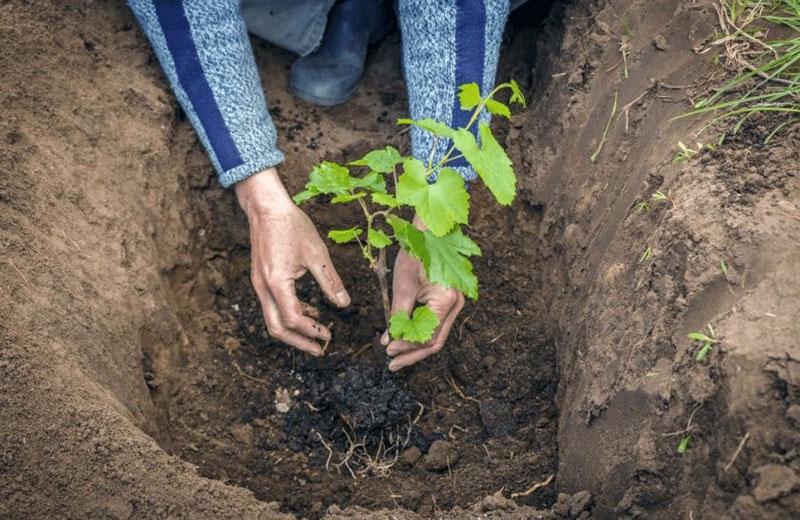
pixel 470 56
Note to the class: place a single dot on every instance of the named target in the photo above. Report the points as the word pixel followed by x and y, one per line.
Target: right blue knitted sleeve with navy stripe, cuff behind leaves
pixel 447 43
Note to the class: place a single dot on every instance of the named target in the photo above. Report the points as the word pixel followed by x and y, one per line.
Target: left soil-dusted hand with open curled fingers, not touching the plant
pixel 284 245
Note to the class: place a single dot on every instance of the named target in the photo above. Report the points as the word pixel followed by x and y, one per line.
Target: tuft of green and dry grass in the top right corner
pixel 767 79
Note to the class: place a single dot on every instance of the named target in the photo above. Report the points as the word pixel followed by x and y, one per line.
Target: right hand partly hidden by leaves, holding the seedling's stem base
pixel 409 286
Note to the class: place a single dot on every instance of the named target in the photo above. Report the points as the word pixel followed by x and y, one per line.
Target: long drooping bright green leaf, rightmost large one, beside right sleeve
pixel 490 162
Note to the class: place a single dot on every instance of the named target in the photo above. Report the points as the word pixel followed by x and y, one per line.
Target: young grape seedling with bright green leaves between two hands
pixel 437 194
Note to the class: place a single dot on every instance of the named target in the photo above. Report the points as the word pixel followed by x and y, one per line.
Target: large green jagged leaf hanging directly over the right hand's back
pixel 446 261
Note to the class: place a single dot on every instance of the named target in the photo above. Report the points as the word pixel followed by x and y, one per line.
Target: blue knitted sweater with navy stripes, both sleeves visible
pixel 205 52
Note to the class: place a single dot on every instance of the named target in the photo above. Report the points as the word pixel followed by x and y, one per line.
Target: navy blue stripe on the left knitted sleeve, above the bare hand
pixel 175 26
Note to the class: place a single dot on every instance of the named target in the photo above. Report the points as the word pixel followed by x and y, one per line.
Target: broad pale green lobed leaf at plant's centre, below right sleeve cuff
pixel 440 205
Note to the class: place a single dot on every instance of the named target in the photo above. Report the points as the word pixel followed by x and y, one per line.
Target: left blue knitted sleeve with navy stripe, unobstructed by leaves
pixel 205 52
